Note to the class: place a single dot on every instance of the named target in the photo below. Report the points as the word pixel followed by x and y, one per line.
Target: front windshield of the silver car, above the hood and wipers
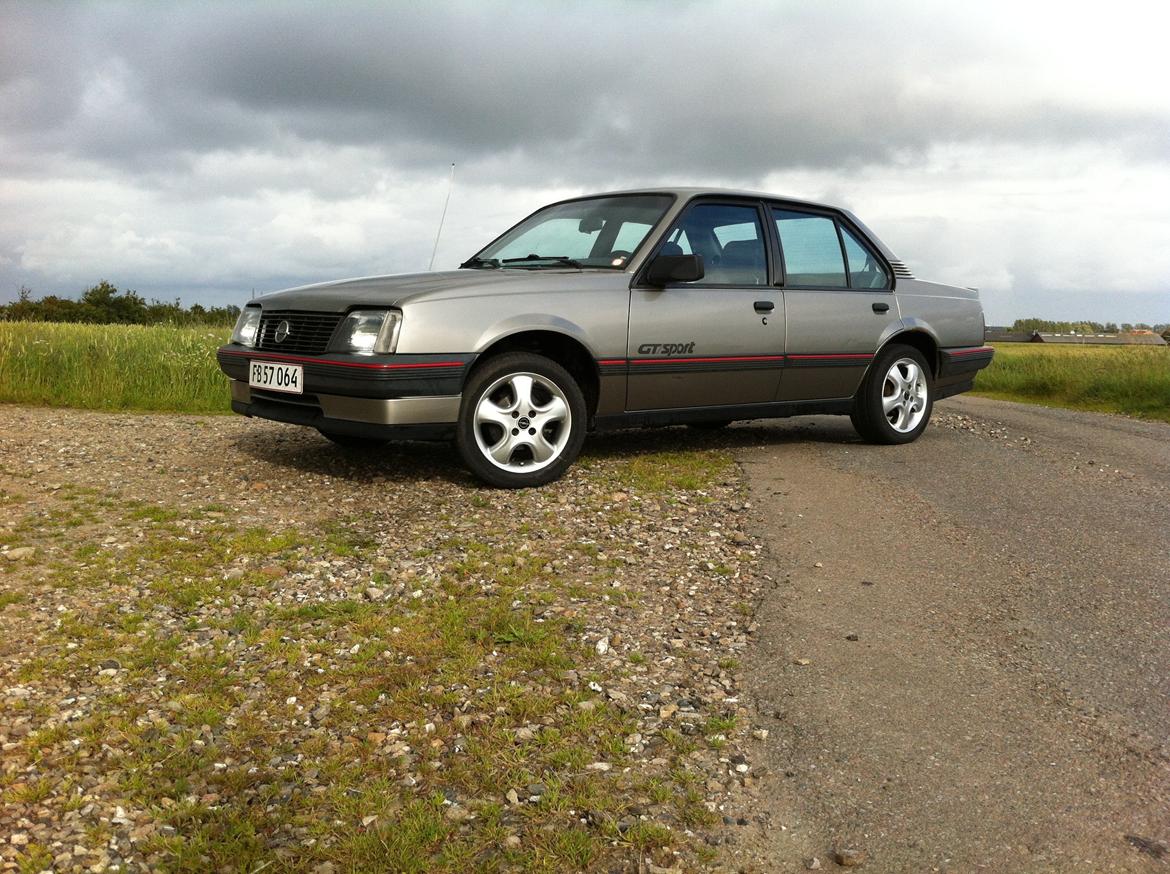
pixel 594 233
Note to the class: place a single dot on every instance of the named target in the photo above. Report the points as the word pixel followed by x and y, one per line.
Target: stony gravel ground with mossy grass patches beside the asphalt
pixel 230 645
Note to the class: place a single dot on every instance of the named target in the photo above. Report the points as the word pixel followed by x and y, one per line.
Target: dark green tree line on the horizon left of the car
pixel 106 305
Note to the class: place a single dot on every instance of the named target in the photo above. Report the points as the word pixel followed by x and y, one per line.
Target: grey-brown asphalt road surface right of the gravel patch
pixel 965 657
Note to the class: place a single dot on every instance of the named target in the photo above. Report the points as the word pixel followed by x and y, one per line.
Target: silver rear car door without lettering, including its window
pixel 839 304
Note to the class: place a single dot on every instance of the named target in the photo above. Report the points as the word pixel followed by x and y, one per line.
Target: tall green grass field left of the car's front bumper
pixel 113 367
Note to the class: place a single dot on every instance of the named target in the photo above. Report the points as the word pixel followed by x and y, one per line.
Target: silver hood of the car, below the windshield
pixel 397 291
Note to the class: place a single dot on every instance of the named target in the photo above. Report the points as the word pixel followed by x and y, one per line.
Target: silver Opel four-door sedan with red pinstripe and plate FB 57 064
pixel 659 307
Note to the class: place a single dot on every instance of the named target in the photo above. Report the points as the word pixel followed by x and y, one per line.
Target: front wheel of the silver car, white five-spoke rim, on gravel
pixel 522 422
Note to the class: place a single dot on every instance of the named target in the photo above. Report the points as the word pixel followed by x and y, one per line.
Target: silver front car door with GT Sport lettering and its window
pixel 719 341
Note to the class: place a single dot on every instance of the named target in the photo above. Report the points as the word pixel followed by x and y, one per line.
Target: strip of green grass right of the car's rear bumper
pixel 1133 381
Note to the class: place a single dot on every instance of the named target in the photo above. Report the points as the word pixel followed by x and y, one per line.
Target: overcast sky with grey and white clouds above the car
pixel 203 150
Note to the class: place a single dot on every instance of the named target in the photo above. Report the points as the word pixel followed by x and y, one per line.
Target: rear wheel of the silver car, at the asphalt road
pixel 896 401
